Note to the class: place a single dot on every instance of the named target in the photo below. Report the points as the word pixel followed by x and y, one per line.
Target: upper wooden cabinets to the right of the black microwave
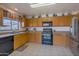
pixel 62 20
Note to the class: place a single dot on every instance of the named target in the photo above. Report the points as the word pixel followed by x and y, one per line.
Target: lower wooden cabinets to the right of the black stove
pixel 61 39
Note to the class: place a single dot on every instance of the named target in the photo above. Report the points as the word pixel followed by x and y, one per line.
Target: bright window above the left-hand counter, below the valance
pixel 10 24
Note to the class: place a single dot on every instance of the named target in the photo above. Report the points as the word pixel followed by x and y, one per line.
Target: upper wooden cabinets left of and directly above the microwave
pixel 37 22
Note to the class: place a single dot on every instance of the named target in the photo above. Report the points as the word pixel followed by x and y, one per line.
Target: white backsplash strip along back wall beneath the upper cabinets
pixel 53 28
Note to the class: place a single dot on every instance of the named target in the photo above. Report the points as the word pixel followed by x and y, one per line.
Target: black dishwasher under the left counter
pixel 6 45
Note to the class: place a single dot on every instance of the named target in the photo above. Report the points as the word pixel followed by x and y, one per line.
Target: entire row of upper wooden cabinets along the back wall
pixel 56 21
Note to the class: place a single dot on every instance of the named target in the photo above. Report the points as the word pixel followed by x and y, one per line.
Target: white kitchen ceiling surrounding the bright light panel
pixel 55 8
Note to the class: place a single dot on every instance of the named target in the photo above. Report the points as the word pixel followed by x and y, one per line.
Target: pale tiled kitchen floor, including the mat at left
pixel 33 49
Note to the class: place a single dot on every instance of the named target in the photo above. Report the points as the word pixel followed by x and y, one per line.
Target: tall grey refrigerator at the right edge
pixel 75 36
